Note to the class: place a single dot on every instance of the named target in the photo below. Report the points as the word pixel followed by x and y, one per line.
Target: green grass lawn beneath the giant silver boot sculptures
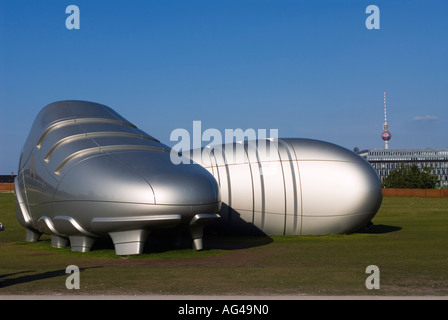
pixel 409 244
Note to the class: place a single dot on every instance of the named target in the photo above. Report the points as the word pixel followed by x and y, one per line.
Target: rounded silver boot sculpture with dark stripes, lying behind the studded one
pixel 291 187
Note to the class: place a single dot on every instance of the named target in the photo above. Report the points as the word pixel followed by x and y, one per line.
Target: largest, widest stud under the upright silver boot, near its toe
pixel 129 242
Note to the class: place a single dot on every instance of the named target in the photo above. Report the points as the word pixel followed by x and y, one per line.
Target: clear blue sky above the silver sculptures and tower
pixel 307 68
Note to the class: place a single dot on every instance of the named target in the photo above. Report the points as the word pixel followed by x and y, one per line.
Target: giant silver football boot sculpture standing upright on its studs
pixel 86 172
